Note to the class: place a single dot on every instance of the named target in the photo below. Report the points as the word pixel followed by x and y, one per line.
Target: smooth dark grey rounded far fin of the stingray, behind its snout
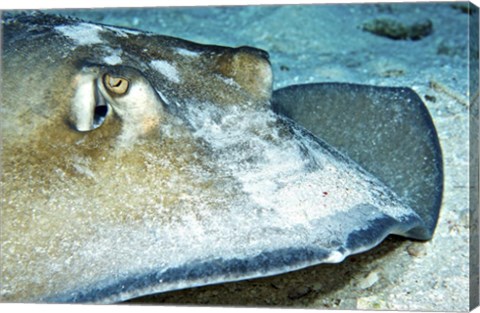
pixel 387 131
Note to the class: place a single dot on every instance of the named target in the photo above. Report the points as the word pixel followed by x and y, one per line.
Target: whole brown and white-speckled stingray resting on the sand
pixel 135 163
